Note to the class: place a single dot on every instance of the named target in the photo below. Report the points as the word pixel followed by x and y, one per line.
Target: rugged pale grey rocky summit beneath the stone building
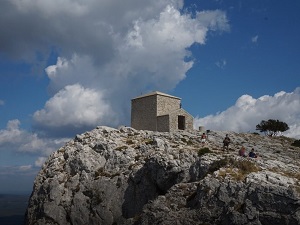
pixel 132 177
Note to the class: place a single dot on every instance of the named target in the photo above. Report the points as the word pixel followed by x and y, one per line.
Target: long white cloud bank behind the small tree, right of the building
pixel 248 112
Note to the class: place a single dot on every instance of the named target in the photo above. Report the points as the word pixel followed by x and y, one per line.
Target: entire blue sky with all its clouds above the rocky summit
pixel 68 66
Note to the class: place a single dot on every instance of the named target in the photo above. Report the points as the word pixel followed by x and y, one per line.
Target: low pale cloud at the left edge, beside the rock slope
pixel 19 140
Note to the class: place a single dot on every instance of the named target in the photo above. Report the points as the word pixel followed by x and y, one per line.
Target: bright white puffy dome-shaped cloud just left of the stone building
pixel 74 107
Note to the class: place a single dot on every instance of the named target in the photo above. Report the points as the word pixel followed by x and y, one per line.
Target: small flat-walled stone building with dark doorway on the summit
pixel 158 111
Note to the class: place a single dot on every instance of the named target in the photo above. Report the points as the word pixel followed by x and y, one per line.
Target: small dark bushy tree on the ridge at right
pixel 272 127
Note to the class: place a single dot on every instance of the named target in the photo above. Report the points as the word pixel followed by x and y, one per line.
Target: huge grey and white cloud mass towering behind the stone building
pixel 104 60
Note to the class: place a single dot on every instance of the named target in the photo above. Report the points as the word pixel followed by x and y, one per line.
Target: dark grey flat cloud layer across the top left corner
pixel 72 25
